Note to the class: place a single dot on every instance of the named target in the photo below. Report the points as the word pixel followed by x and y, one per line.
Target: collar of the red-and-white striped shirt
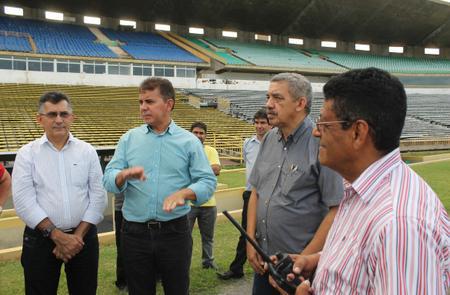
pixel 367 183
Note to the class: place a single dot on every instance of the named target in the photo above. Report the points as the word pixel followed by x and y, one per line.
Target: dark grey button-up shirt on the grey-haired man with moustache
pixel 294 190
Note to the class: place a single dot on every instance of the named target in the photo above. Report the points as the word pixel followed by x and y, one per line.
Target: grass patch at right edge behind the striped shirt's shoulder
pixel 437 175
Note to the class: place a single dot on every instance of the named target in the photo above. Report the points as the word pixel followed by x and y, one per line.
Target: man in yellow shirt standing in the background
pixel 206 214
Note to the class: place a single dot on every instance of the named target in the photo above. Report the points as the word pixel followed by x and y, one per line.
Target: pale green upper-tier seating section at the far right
pixel 393 64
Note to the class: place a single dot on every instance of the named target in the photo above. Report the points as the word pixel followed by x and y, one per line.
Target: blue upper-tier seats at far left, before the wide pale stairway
pixel 54 38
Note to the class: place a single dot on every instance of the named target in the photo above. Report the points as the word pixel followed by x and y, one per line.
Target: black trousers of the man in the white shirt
pixel 42 269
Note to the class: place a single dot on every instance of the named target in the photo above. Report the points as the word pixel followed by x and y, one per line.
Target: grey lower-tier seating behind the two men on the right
pixel 427 115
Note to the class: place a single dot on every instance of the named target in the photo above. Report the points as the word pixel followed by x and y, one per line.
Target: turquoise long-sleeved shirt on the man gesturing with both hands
pixel 172 160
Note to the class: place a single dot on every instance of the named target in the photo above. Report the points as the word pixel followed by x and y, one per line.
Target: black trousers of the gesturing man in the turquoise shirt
pixel 157 248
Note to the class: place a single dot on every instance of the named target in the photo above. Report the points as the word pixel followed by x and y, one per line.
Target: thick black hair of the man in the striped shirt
pixel 372 95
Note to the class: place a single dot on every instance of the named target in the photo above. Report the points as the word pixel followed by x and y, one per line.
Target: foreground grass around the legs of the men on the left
pixel 202 281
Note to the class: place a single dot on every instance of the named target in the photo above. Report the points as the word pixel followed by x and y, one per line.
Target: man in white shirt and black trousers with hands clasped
pixel 58 193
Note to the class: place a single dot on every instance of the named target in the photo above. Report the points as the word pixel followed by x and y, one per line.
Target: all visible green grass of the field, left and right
pixel 205 281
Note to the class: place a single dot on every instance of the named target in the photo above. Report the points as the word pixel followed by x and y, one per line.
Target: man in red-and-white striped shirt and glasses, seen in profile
pixel 391 232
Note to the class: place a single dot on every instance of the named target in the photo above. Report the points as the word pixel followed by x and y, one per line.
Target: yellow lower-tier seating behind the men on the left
pixel 98 112
